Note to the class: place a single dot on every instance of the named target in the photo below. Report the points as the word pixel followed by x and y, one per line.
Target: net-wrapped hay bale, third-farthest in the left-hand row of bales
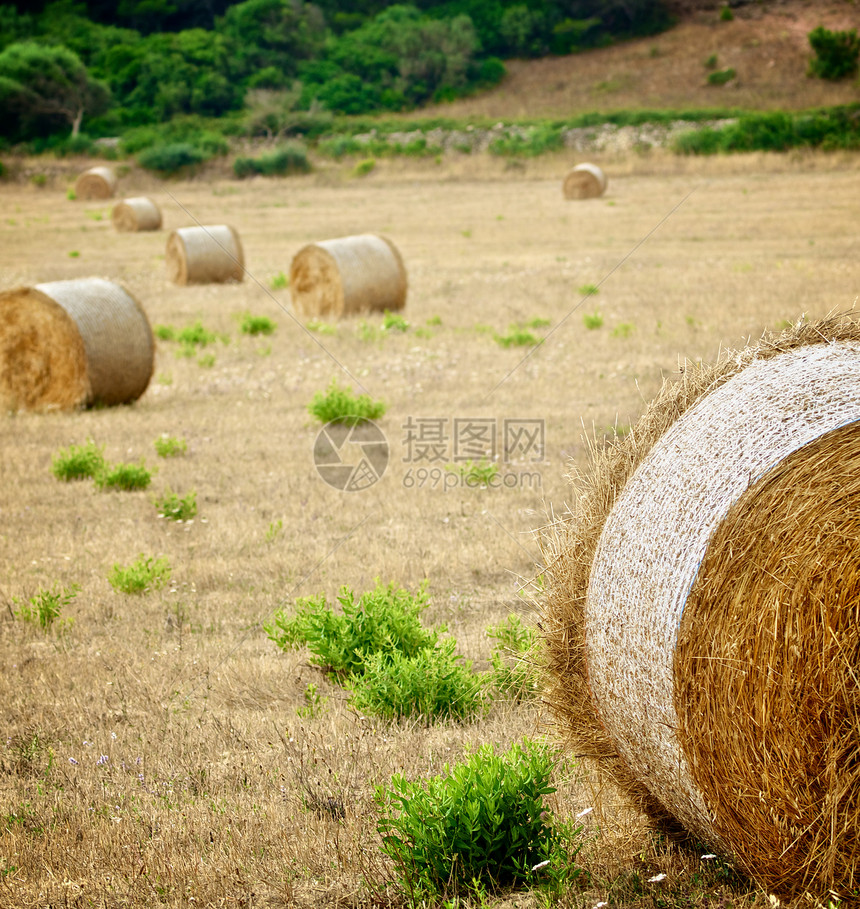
pixel 205 255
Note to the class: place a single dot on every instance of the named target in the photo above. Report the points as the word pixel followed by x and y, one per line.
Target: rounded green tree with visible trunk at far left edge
pixel 40 84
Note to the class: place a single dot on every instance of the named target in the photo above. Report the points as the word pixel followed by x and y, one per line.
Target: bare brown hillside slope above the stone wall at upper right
pixel 766 44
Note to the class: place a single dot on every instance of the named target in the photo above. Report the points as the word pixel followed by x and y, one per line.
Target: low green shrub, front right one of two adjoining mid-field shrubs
pixel 433 684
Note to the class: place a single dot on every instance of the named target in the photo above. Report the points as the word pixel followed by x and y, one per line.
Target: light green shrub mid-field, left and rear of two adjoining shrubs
pixel 386 619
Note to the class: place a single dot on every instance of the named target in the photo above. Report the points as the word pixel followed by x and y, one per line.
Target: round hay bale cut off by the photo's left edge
pixel 66 344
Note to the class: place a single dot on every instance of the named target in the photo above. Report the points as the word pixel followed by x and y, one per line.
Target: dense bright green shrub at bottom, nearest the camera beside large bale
pixel 483 825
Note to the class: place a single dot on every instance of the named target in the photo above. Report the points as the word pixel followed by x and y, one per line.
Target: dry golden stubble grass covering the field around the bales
pixel 208 765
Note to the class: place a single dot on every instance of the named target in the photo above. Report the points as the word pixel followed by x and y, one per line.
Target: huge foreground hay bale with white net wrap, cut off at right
pixel 703 616
